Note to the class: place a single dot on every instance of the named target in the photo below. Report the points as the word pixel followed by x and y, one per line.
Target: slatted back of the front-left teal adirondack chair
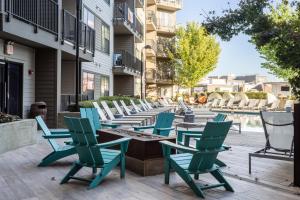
pixel 86 148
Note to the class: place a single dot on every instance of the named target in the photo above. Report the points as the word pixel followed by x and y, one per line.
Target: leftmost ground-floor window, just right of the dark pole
pixel 88 85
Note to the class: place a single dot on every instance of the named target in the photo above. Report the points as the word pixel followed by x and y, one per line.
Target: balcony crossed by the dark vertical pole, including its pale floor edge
pixel 68 36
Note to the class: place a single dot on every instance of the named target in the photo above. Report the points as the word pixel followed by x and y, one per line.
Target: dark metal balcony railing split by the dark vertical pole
pixel 87 34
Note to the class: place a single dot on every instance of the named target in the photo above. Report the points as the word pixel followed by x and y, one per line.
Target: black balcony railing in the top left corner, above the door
pixel 42 14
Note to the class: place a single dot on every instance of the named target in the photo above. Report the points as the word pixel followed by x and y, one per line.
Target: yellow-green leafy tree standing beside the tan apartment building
pixel 195 54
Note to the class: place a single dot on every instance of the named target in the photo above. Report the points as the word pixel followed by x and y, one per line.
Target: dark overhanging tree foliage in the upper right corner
pixel 274 30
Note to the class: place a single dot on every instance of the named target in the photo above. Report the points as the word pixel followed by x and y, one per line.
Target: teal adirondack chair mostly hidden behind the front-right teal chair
pixel 183 136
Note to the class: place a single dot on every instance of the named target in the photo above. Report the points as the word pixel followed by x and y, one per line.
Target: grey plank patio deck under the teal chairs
pixel 20 178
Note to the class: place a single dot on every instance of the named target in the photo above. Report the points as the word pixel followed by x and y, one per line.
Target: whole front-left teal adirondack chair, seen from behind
pixel 94 155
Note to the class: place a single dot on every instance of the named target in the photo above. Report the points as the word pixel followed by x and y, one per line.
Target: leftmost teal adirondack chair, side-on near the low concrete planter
pixel 59 151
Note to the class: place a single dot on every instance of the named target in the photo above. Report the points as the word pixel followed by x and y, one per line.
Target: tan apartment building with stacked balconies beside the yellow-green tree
pixel 160 32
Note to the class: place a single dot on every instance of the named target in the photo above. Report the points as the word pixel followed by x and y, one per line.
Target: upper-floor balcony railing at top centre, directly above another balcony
pixel 124 13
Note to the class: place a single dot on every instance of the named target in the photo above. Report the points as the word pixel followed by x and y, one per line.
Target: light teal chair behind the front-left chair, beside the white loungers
pixel 93 115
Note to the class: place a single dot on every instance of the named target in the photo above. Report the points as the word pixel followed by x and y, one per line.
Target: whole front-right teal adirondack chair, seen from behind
pixel 198 161
